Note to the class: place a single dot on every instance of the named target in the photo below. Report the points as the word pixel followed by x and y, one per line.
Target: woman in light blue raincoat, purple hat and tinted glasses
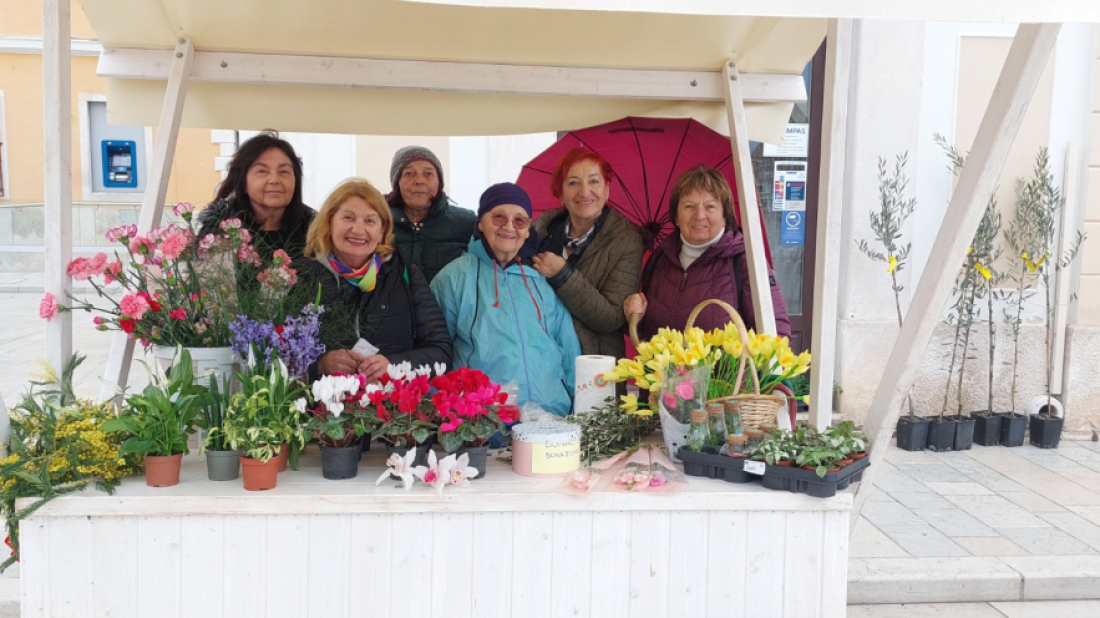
pixel 504 317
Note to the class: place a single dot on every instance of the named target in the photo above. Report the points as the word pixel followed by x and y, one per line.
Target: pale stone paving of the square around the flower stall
pixel 987 525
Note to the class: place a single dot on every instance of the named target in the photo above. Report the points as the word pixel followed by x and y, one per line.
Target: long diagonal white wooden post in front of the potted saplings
pixel 1031 48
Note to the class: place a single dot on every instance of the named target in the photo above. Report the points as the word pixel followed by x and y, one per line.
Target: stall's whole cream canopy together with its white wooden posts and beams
pixel 460 68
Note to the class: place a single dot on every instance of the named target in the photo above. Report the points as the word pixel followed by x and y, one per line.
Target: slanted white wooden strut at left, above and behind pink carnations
pixel 157 189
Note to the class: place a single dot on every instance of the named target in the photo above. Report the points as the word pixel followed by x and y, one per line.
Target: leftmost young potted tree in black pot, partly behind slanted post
pixel 887 223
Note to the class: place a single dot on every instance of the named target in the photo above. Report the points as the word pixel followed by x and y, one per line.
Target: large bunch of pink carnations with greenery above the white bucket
pixel 179 290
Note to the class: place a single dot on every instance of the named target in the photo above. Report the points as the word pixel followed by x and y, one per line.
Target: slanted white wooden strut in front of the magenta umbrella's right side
pixel 750 201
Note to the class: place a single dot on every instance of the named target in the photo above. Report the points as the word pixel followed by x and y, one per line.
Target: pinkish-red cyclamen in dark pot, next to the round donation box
pixel 471 409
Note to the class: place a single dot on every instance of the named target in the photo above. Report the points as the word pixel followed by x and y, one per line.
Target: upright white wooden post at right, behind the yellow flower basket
pixel 831 203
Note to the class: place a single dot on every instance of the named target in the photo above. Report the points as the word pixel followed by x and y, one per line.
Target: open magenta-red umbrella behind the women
pixel 647 154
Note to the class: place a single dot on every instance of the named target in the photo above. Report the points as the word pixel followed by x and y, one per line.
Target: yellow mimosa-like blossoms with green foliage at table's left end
pixel 57 447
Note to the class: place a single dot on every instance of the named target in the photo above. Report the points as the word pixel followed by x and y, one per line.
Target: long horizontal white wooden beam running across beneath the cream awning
pixel 458 78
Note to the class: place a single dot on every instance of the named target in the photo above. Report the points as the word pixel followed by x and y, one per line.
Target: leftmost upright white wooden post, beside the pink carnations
pixel 58 173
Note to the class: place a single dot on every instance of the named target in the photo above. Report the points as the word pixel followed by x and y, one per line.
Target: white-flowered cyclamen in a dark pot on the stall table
pixel 337 420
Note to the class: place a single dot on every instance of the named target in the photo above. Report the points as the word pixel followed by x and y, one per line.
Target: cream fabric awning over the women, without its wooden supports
pixel 271 32
